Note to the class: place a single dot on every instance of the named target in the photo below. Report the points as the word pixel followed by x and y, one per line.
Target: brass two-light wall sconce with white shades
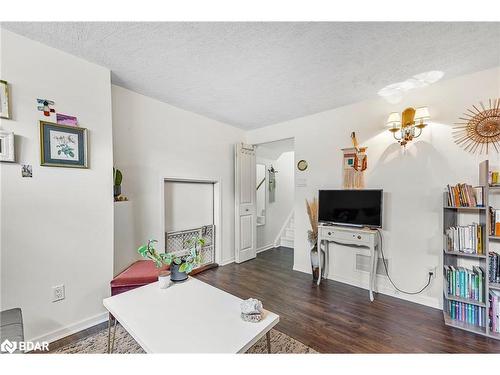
pixel 408 125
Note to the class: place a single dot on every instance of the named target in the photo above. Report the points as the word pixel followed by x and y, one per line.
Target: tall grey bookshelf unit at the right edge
pixel 451 218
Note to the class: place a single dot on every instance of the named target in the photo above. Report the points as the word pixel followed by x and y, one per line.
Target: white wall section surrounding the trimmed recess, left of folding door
pixel 153 140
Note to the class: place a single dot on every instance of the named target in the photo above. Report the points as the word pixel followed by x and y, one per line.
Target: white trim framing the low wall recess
pixel 217 197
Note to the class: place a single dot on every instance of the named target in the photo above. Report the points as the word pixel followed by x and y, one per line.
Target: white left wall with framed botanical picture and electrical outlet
pixel 57 227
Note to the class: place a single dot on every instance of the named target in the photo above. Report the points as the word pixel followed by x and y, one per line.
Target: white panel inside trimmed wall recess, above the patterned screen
pixel 188 205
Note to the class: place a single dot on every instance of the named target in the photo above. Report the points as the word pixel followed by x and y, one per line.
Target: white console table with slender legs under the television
pixel 349 236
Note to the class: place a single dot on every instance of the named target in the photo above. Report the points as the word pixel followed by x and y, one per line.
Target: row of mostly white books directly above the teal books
pixel 467 239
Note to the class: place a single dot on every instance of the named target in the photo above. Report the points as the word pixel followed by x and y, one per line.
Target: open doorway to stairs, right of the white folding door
pixel 275 184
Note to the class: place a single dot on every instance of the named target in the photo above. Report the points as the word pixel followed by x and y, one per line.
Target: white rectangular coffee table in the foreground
pixel 187 317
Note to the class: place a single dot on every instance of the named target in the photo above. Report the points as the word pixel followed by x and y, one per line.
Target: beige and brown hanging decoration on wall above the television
pixel 355 164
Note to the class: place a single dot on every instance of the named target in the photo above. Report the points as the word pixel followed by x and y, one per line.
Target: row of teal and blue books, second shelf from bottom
pixel 465 283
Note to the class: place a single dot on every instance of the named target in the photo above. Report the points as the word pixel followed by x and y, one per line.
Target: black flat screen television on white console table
pixel 362 208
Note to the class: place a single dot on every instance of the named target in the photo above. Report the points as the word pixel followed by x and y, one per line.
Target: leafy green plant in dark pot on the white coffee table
pixel 181 263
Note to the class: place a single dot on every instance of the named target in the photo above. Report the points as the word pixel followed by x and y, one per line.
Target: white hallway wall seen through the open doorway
pixel 278 211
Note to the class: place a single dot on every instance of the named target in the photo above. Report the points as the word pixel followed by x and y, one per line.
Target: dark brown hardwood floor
pixel 339 318
